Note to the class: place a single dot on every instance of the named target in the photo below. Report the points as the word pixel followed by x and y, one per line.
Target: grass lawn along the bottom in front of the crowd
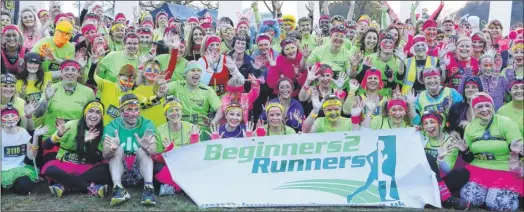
pixel 42 199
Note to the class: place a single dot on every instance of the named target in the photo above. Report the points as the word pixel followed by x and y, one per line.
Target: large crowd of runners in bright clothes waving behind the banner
pixel 92 104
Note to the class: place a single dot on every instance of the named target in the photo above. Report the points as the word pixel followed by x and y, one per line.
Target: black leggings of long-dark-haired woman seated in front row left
pixel 98 174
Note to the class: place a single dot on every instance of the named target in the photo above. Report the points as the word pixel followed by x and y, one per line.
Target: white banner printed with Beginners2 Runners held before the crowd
pixel 365 168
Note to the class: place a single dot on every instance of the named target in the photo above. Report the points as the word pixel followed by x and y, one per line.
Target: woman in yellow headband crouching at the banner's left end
pixel 174 134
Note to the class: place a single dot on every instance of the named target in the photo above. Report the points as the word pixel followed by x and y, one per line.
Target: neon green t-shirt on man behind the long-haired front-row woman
pixel 68 107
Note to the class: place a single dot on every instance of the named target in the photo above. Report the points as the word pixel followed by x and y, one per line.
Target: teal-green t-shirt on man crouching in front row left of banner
pixel 127 136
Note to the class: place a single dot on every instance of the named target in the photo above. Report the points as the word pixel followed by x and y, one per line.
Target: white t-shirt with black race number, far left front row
pixel 14 148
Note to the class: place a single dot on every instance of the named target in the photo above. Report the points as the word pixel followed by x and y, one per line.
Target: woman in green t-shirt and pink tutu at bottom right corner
pixel 490 142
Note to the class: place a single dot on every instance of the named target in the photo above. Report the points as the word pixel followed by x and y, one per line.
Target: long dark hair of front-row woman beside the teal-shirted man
pixel 80 135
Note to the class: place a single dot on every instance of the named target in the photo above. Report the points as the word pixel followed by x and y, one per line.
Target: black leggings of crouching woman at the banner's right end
pixel 455 179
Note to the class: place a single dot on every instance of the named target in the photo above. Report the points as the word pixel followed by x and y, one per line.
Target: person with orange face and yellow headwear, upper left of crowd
pixel 56 49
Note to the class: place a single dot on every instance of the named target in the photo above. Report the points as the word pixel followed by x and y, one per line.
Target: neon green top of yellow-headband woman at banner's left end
pixel 181 138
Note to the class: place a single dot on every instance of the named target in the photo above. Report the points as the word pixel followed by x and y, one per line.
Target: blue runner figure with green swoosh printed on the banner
pixel 380 185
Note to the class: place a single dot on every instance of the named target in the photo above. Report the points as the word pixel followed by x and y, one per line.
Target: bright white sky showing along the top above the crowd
pixel 450 6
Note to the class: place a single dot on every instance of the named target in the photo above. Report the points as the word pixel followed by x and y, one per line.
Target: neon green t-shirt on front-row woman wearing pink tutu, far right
pixel 491 152
